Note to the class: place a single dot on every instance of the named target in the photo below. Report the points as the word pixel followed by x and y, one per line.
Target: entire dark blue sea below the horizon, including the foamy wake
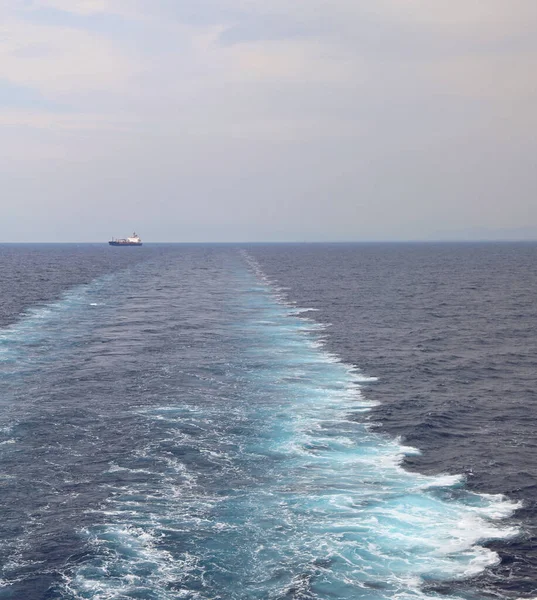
pixel 268 422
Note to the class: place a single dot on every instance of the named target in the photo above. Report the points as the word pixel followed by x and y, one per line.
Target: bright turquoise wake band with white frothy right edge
pixel 382 525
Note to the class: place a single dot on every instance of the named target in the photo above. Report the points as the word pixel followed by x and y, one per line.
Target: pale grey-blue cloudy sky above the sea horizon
pixel 268 120
